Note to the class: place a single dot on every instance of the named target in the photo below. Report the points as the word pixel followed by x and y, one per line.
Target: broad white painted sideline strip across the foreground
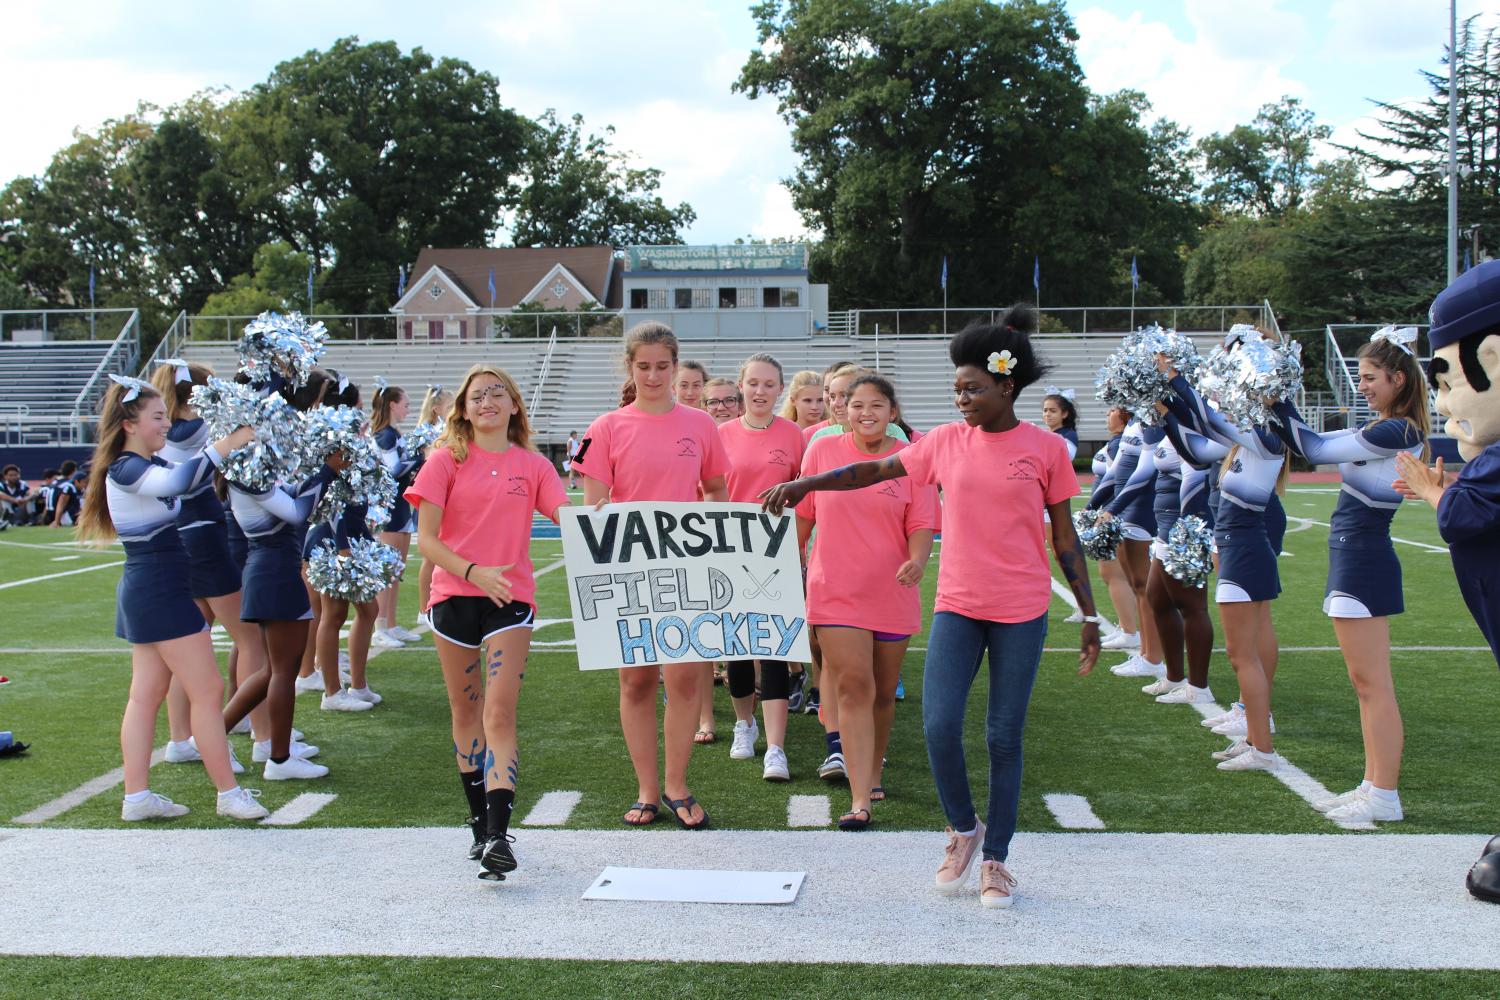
pixel 1315 903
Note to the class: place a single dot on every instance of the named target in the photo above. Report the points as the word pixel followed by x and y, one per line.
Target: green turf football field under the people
pixel 1142 767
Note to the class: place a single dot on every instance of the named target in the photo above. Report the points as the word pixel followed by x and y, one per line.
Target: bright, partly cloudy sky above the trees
pixel 662 74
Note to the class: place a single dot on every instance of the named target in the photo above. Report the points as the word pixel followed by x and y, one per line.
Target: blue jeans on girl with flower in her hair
pixel 955 653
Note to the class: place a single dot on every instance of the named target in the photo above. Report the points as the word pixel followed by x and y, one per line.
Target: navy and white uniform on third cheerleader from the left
pixel 275 524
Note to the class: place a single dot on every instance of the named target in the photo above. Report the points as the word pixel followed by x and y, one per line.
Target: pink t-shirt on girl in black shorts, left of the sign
pixel 487 513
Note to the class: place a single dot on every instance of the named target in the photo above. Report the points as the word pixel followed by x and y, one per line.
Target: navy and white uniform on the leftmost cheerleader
pixel 154 599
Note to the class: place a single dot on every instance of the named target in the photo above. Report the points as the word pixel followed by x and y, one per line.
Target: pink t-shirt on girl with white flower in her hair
pixel 995 490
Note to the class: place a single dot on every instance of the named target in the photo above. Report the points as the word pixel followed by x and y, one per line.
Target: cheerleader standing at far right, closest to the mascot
pixel 1364 575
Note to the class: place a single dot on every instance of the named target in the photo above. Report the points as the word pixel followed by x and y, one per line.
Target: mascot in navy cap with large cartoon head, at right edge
pixel 1466 374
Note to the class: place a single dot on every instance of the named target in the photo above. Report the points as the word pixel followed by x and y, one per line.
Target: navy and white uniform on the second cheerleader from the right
pixel 1247 560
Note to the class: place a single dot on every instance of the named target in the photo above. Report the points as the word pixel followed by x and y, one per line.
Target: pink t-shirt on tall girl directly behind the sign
pixel 644 457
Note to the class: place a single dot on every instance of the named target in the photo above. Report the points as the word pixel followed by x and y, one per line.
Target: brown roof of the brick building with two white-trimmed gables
pixel 518 271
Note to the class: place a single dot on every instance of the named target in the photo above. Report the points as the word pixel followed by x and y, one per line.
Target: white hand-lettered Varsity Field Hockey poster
pixel 655 582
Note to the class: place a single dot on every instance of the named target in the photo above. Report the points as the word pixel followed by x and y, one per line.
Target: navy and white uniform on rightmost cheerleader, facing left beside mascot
pixel 1364 573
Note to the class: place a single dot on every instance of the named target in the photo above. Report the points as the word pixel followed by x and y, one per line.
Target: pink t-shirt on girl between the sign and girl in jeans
pixel 866 530
